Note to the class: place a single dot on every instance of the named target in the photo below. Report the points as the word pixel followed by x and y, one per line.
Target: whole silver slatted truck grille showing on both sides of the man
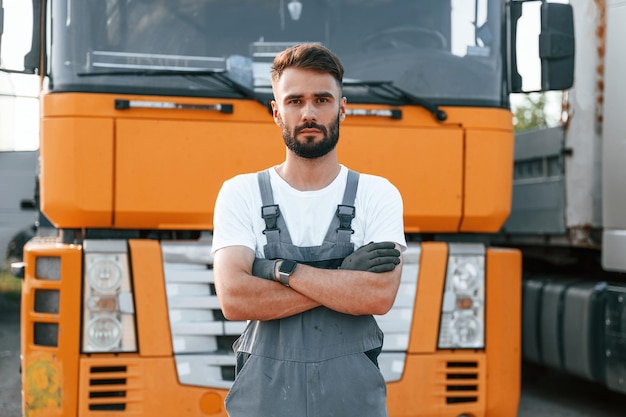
pixel 202 338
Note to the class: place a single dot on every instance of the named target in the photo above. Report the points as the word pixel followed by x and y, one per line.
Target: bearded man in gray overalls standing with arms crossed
pixel 311 346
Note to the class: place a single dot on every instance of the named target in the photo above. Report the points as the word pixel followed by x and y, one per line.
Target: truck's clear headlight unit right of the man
pixel 462 323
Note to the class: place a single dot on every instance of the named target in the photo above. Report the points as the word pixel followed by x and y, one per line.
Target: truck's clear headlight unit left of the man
pixel 108 311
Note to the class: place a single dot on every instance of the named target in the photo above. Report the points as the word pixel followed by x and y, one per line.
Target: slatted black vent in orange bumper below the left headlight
pixel 107 388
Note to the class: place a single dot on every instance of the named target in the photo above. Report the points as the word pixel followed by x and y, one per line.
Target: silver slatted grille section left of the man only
pixel 201 337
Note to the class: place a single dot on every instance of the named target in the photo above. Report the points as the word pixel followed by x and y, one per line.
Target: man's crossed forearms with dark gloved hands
pixel 366 283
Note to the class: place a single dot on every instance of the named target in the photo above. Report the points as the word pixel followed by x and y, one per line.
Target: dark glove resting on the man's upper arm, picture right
pixel 373 257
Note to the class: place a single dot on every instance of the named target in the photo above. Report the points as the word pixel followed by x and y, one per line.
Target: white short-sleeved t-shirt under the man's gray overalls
pixel 237 219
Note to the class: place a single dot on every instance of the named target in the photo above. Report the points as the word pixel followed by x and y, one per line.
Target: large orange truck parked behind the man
pixel 147 107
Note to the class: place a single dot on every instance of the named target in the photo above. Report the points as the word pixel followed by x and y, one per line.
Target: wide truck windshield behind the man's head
pixel 445 51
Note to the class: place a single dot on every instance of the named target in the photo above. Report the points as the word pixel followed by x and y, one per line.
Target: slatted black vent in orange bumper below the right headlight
pixel 461 382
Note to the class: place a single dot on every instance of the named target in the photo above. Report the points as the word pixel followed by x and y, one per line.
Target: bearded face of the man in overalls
pixel 308 108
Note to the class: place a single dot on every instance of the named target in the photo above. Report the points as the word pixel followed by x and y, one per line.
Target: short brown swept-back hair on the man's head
pixel 311 56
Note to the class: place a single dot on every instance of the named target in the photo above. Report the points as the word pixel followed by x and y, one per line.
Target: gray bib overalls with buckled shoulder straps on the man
pixel 317 363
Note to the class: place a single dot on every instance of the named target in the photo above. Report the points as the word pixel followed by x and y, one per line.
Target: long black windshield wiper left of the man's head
pixel 219 75
